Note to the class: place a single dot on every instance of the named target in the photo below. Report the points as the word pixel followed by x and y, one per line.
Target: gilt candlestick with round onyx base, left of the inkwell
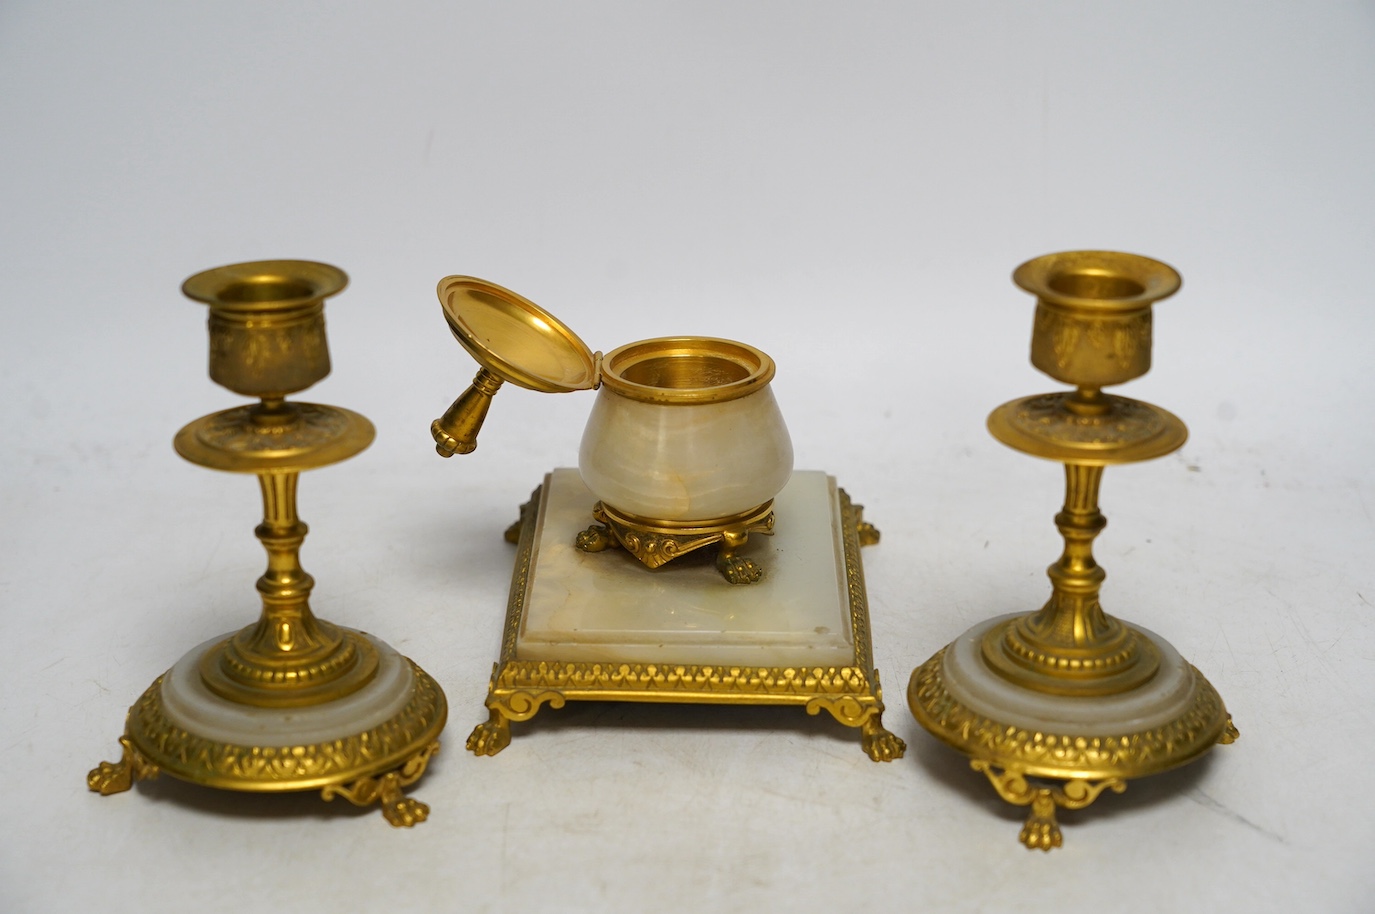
pixel 291 703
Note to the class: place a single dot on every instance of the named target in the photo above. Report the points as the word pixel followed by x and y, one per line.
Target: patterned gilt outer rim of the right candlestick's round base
pixel 1053 755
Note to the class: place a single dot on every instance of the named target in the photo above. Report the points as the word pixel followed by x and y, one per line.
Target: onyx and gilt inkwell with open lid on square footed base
pixel 685 450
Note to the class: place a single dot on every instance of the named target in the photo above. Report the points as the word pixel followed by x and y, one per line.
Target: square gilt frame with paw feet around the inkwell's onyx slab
pixel 850 695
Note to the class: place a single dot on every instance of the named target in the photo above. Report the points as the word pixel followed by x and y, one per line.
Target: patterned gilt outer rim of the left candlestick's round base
pixel 287 768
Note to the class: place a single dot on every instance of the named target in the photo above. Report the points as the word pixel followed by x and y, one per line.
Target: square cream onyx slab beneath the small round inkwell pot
pixel 607 607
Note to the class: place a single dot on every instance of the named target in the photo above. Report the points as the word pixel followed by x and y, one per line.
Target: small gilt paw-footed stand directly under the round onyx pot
pixel 657 544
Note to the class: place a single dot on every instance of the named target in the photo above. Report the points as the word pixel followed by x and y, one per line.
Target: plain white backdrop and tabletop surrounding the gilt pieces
pixel 846 186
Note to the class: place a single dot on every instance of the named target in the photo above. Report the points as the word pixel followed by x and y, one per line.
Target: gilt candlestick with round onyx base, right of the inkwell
pixel 1070 693
